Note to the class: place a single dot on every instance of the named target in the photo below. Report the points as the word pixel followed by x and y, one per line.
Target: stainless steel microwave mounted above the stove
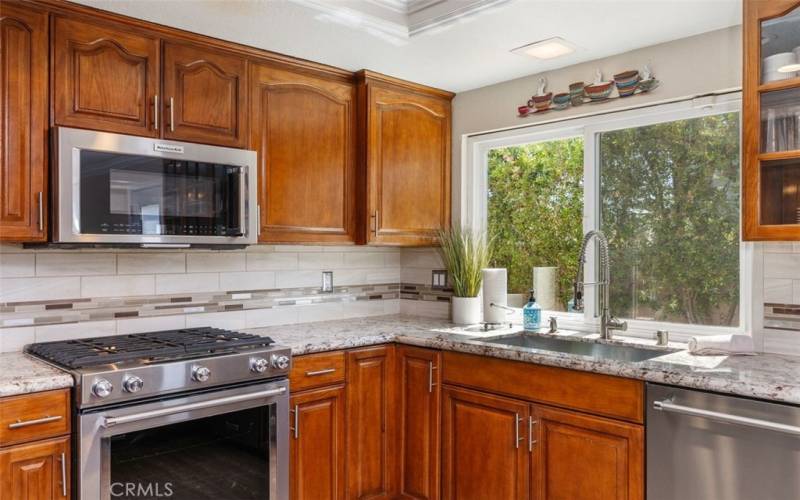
pixel 125 190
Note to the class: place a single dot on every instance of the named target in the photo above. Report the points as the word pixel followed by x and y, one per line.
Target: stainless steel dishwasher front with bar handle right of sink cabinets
pixel 705 446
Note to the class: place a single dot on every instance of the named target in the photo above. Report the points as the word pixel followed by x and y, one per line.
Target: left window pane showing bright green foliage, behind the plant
pixel 535 217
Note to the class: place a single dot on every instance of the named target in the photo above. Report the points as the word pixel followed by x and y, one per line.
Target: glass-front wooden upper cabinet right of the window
pixel 771 120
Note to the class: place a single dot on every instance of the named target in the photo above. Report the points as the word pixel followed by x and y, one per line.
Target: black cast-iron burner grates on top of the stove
pixel 165 345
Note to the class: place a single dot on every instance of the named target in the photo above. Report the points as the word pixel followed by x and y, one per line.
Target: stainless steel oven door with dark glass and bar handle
pixel 216 445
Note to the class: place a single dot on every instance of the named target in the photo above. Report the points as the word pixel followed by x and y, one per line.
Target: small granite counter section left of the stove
pixel 21 374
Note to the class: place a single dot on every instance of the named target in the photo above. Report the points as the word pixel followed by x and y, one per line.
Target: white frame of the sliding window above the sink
pixel 474 205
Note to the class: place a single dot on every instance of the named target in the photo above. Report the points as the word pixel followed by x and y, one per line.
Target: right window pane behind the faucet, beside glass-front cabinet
pixel 669 200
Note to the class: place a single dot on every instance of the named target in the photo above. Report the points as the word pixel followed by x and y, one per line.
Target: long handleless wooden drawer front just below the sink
pixel 594 393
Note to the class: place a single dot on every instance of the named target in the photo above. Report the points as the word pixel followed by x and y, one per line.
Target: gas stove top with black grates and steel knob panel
pixel 122 368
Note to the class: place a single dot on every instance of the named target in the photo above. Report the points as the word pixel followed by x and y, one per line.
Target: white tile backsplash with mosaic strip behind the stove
pixel 52 294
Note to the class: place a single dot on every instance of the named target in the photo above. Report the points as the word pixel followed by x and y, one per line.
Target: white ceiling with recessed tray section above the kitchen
pixel 457 53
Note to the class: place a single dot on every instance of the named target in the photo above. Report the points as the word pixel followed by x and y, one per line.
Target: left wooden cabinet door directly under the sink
pixel 484 446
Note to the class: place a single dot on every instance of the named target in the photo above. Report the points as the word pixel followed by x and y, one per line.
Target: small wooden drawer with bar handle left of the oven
pixel 34 416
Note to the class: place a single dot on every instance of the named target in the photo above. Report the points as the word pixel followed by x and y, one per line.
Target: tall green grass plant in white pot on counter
pixel 465 253
